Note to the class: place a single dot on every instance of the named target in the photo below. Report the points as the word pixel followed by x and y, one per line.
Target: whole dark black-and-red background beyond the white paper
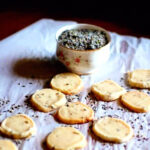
pixel 124 17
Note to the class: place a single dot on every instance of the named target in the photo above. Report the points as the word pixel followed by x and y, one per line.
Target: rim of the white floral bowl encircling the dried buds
pixel 82 26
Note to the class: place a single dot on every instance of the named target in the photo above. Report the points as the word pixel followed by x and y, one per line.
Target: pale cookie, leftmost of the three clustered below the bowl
pixel 48 99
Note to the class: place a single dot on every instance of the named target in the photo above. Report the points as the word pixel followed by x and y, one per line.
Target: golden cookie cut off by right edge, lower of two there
pixel 136 101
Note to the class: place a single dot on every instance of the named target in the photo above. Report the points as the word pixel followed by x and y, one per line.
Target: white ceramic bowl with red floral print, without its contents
pixel 82 61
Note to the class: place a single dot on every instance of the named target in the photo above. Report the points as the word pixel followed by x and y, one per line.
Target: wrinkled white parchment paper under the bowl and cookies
pixel 27 63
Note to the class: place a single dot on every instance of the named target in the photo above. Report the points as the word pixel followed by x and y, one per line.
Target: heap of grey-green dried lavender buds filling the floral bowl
pixel 83 39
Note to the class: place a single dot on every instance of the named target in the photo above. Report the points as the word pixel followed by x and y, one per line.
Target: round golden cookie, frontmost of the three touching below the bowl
pixel 76 112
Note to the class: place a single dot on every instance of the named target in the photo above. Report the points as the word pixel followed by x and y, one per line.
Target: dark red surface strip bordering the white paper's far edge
pixel 13 21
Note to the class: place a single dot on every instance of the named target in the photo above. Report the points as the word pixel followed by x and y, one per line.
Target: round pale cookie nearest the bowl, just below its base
pixel 68 83
